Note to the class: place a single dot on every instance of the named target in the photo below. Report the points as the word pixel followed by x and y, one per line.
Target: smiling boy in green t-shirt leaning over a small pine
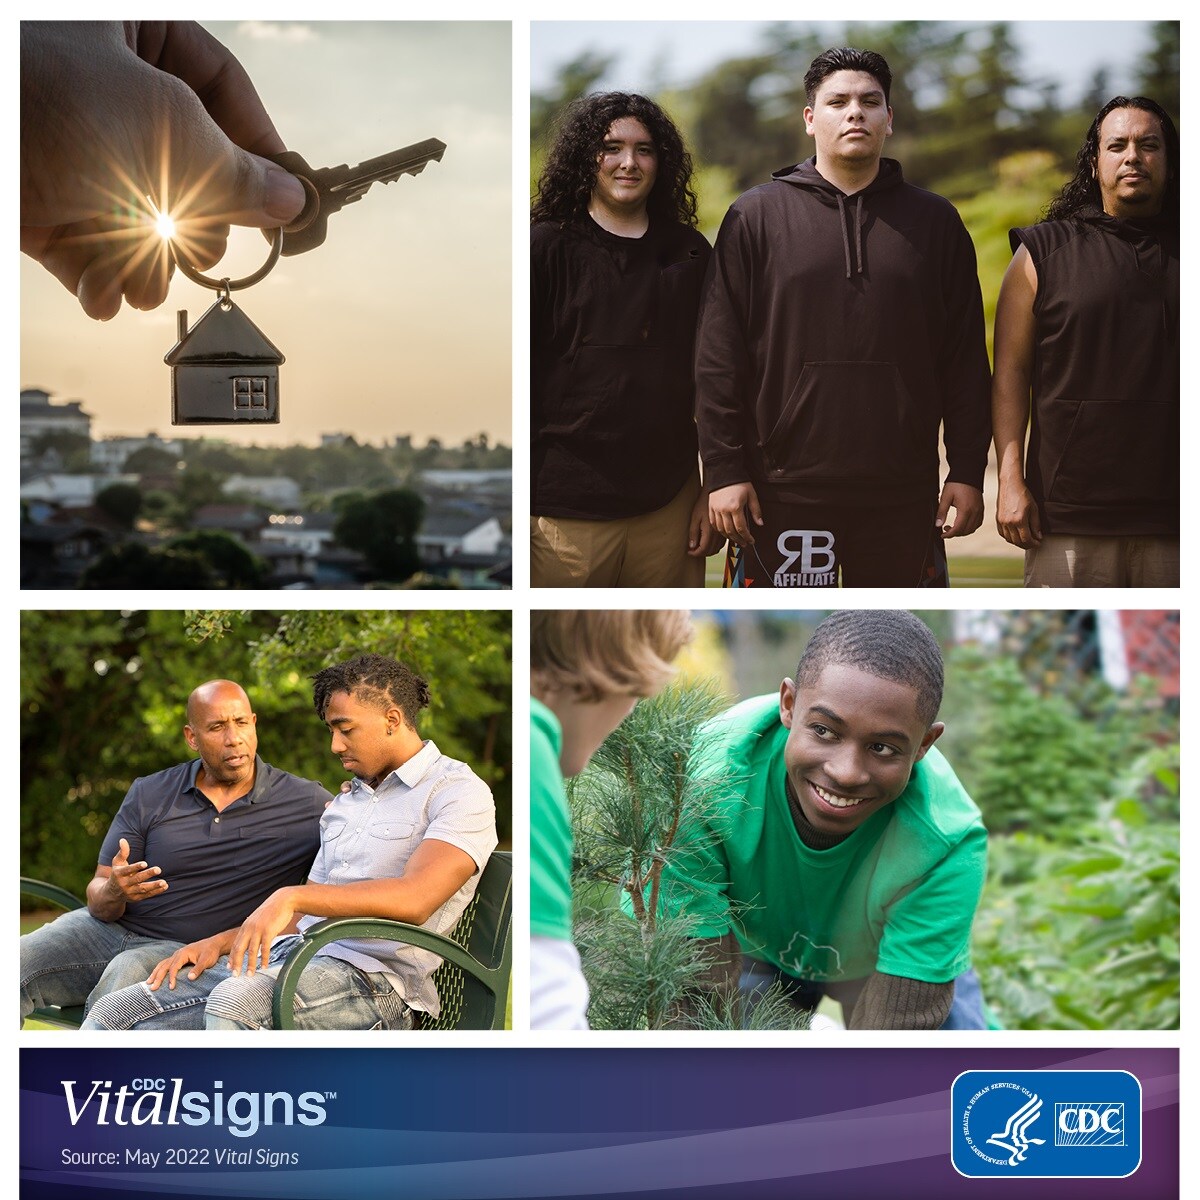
pixel 838 853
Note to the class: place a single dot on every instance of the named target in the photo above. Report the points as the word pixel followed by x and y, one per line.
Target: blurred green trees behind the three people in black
pixel 973 123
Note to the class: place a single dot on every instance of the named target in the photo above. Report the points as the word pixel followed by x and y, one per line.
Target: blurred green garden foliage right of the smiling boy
pixel 1079 785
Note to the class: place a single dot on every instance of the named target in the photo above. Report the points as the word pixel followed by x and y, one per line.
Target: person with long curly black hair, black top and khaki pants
pixel 615 278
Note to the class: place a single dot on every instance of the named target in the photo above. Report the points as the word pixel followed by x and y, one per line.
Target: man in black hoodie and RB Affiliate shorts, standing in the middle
pixel 842 328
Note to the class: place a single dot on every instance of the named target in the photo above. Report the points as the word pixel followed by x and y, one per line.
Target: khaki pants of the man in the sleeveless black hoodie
pixel 1075 561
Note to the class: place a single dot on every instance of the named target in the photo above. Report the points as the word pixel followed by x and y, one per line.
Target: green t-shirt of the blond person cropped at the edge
pixel 550 829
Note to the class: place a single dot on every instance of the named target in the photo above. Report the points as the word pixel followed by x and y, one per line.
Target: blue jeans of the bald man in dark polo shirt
pixel 76 958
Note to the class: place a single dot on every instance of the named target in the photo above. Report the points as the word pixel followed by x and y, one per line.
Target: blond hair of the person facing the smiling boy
pixel 604 653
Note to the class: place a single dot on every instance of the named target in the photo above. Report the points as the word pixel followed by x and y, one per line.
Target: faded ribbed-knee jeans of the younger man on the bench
pixel 331 995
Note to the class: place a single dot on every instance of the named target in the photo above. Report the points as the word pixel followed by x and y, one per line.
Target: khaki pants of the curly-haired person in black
pixel 649 551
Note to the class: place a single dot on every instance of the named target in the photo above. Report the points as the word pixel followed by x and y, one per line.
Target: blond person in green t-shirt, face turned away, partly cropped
pixel 587 671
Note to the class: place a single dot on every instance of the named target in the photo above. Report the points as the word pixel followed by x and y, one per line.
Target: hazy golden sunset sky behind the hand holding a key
pixel 401 322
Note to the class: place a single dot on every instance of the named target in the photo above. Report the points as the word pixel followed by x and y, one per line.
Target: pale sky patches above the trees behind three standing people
pixel 679 52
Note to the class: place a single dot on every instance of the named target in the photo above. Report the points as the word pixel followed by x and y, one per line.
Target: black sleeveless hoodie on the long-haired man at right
pixel 1105 441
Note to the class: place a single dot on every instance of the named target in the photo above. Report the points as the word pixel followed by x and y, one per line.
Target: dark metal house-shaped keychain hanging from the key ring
pixel 224 371
